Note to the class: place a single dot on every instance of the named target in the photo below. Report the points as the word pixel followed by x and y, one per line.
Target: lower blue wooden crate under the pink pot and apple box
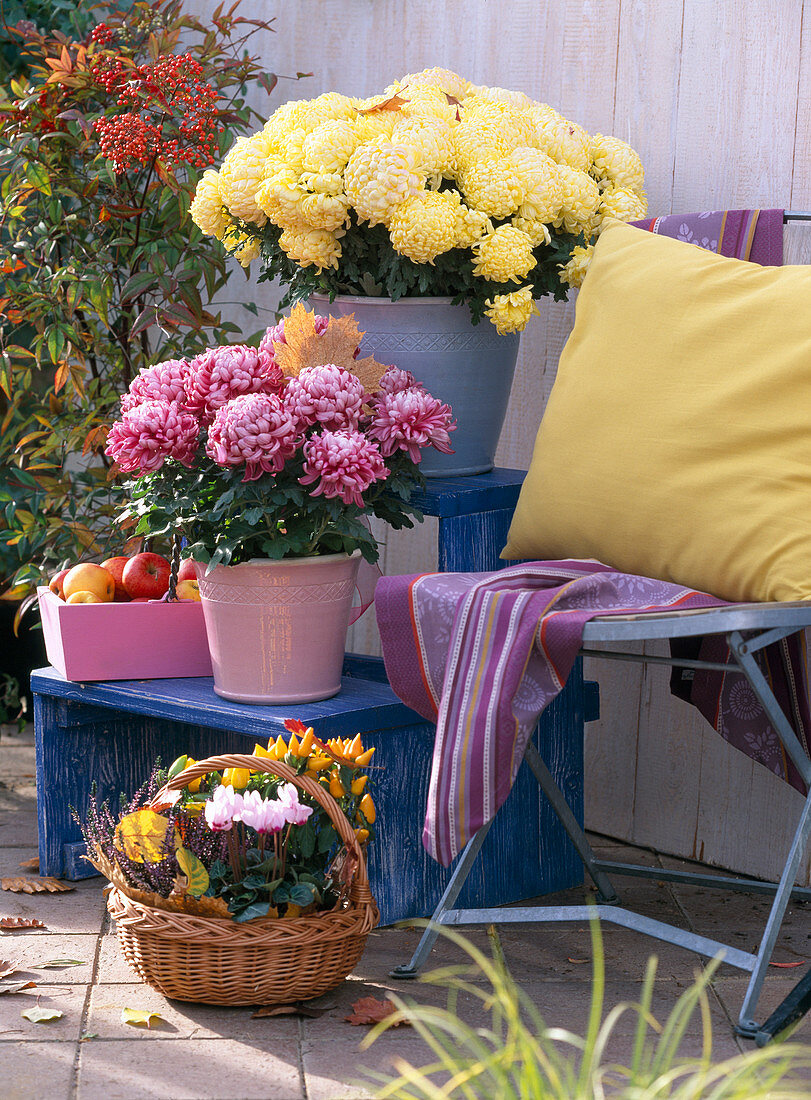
pixel 114 732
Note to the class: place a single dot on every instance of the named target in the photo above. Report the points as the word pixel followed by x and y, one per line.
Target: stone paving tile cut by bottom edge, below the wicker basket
pixel 204 1070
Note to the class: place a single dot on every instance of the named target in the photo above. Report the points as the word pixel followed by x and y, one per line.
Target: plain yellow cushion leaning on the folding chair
pixel 677 439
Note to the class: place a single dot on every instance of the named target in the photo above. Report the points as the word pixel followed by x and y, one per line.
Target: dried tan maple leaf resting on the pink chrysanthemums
pixel 337 345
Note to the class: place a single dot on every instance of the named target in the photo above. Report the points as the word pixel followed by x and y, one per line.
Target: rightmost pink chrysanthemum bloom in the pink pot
pixel 411 420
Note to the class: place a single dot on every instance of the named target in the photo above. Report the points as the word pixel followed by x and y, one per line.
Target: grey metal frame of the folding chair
pixel 748 629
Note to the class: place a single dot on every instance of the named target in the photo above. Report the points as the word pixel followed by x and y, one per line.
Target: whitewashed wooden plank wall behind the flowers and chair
pixel 715 96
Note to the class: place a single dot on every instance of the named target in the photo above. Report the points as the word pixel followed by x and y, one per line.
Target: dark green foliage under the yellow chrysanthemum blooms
pixel 370 267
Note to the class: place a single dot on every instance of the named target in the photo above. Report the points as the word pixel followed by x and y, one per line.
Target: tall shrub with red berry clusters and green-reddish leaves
pixel 103 140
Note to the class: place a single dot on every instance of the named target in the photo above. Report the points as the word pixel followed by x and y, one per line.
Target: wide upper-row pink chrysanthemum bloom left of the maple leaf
pixel 220 375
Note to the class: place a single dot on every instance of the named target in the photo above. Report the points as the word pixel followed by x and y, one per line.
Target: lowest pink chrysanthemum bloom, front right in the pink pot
pixel 345 465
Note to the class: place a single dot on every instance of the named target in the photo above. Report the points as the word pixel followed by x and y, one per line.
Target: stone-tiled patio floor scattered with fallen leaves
pixel 201 1052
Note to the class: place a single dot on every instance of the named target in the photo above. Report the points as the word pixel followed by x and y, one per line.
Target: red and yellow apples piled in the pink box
pixel 136 580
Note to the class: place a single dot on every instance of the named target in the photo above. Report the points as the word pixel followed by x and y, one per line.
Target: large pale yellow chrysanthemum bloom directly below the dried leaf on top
pixel 379 178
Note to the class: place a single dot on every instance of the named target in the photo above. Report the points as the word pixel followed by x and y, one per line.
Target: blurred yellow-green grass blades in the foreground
pixel 519 1058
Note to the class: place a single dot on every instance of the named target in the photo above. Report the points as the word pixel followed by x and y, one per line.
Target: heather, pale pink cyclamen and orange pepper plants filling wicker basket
pixel 238 843
